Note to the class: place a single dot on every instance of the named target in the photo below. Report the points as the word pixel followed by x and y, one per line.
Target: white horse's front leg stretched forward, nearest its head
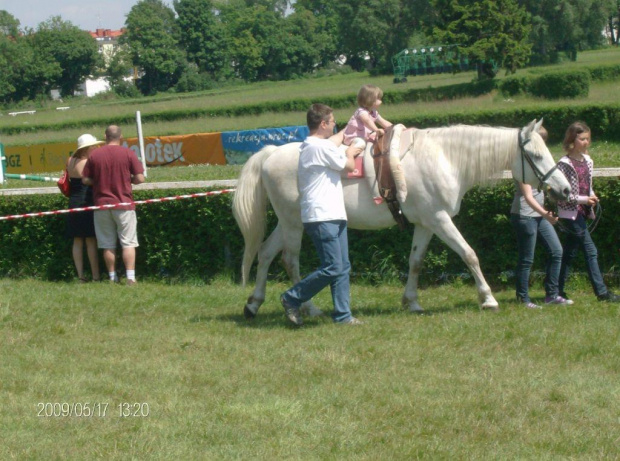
pixel 447 231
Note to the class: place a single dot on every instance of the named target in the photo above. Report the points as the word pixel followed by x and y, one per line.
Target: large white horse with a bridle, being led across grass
pixel 440 166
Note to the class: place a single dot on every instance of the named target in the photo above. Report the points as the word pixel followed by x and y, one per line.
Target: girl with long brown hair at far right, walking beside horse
pixel 578 167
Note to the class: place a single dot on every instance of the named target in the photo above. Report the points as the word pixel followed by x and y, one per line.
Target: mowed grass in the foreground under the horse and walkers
pixel 456 383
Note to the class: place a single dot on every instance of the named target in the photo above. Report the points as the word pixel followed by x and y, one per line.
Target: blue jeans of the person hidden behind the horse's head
pixel 527 231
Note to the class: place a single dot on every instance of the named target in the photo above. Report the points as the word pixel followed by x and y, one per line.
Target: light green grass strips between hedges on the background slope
pixel 313 88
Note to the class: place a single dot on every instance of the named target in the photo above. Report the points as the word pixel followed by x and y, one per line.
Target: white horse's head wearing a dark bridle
pixel 535 166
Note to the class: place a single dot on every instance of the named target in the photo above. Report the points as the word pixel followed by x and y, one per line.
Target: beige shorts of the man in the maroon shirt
pixel 112 223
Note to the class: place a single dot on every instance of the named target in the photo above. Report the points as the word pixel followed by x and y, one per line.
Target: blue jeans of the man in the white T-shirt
pixel 332 245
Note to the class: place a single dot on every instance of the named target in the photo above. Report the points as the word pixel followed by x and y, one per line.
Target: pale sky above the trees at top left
pixel 86 14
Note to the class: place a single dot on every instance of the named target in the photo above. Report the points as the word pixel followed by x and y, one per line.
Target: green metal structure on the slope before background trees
pixel 431 59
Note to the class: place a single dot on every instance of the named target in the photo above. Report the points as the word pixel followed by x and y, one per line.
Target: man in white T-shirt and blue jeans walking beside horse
pixel 324 216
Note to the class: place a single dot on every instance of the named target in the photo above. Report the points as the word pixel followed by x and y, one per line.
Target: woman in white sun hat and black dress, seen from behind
pixel 80 226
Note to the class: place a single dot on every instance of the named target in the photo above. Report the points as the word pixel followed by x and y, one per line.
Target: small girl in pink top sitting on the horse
pixel 365 122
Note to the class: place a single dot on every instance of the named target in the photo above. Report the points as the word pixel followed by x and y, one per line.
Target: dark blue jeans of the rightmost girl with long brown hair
pixel 578 237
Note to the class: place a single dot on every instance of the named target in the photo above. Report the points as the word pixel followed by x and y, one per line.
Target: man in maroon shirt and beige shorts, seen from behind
pixel 111 170
